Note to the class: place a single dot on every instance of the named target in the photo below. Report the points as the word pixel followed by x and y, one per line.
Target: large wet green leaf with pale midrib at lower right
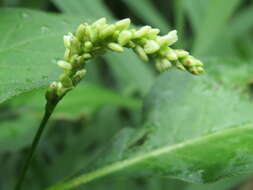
pixel 193 130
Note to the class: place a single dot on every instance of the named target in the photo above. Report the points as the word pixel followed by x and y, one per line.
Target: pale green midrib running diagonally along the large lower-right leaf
pixel 124 164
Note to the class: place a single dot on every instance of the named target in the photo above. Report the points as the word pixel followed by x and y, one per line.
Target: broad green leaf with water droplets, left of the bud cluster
pixel 27 56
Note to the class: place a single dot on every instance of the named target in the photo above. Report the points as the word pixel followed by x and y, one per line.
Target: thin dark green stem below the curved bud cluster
pixel 50 106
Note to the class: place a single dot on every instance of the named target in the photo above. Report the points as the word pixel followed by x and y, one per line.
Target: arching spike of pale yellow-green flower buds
pixel 89 41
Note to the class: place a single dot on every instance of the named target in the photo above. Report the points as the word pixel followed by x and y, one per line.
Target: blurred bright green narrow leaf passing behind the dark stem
pixel 85 99
